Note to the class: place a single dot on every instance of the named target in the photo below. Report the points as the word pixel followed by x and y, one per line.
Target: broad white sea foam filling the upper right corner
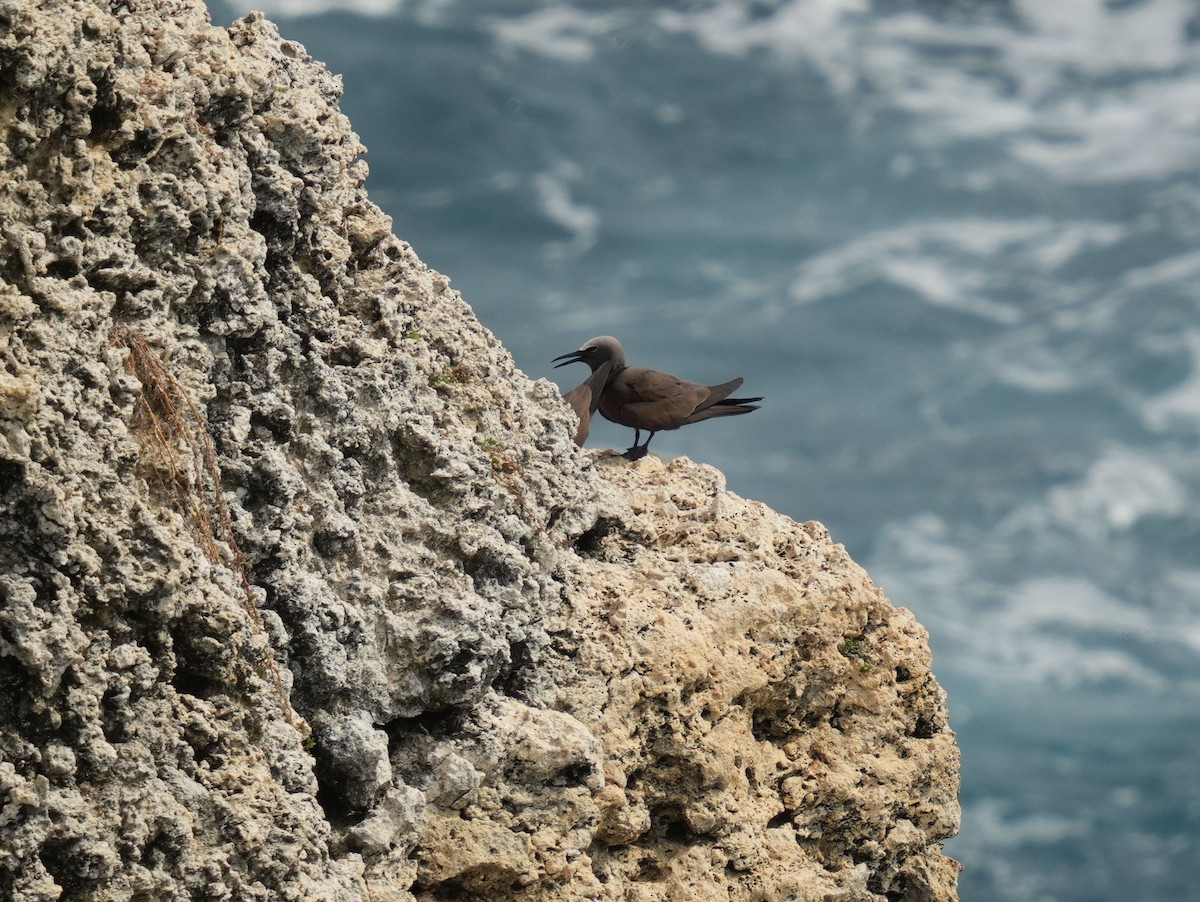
pixel 980 79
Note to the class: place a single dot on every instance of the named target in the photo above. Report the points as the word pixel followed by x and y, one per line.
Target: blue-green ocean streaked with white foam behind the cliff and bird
pixel 957 246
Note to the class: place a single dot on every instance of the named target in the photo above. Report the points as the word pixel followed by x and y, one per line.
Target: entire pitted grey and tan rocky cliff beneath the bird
pixel 305 592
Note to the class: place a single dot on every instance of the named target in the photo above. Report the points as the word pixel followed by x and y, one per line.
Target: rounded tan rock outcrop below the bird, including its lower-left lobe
pixel 741 715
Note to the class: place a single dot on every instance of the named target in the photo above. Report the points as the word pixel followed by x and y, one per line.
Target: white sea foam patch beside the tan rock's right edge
pixel 1059 630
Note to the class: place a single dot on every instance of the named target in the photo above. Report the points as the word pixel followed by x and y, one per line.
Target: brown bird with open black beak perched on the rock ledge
pixel 645 399
